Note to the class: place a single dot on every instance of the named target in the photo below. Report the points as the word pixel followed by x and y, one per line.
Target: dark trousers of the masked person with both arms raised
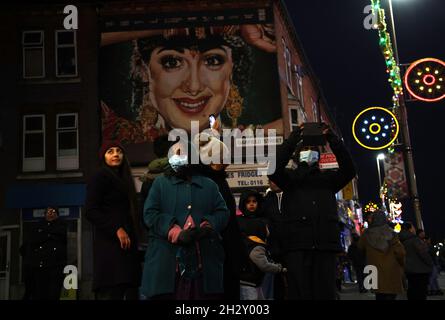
pixel 311 275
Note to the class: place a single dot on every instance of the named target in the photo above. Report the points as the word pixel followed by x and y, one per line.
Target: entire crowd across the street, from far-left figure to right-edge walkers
pixel 284 245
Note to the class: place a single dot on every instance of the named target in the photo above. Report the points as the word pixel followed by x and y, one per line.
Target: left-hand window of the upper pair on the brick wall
pixel 33 54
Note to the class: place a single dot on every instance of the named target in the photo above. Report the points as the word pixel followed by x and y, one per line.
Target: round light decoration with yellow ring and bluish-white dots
pixel 375 128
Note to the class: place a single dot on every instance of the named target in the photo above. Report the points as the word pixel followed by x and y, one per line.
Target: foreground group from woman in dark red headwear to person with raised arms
pixel 283 245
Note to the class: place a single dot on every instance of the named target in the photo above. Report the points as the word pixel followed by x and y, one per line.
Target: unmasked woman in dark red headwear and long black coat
pixel 111 209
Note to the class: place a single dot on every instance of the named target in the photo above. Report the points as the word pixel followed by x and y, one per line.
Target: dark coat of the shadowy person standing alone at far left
pixel 46 246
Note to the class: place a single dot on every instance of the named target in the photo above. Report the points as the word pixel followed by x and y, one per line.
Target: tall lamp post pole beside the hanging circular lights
pixel 405 135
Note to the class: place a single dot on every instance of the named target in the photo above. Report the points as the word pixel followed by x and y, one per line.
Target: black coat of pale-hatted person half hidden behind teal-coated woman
pixel 232 241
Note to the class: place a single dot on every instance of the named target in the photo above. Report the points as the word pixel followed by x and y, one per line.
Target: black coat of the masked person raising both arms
pixel 309 204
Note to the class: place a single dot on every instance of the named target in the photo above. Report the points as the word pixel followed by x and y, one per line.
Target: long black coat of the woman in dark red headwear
pixel 108 209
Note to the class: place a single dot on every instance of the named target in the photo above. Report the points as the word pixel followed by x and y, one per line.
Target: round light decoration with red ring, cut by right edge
pixel 425 79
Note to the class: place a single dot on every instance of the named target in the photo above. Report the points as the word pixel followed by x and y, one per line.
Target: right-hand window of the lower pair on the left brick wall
pixel 67 141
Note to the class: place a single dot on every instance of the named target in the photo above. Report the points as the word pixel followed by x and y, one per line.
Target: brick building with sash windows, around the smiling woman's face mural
pixel 50 120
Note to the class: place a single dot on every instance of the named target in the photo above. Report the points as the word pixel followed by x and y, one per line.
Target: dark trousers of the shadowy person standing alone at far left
pixel 47 283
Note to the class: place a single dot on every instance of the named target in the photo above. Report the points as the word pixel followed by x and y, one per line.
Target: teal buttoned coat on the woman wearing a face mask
pixel 169 202
